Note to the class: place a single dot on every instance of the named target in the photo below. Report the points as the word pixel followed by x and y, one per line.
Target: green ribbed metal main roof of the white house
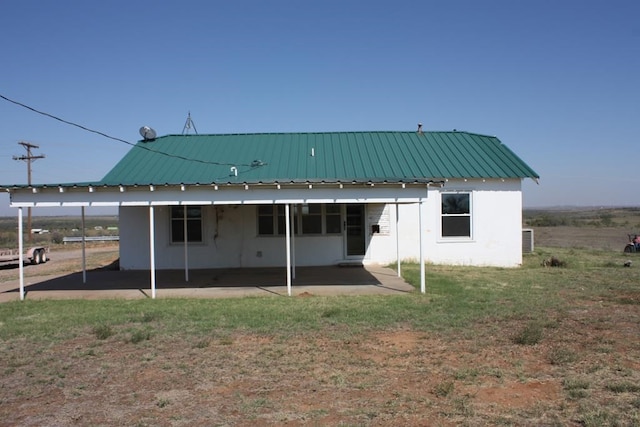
pixel 316 157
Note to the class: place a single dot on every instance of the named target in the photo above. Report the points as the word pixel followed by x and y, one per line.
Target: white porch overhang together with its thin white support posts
pixel 286 193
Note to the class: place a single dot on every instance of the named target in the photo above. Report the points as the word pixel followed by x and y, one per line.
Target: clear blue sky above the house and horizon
pixel 557 81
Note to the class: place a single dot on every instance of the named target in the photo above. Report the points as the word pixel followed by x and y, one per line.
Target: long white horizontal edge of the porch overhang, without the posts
pixel 226 194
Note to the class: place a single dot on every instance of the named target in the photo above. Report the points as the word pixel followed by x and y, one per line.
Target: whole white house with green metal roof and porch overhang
pixel 254 200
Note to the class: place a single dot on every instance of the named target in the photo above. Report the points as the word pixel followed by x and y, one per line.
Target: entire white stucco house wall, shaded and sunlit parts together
pixel 230 234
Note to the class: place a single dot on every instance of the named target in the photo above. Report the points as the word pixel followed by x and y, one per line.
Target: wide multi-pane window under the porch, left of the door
pixel 308 218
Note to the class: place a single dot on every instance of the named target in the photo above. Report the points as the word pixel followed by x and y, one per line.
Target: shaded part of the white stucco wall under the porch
pixel 229 240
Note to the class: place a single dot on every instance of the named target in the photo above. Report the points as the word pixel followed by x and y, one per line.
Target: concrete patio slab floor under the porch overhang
pixel 210 283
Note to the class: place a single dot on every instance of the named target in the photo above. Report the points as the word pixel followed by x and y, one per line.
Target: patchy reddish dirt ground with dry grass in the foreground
pixel 392 377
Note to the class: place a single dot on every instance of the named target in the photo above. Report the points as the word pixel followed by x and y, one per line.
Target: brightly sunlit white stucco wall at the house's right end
pixel 496 228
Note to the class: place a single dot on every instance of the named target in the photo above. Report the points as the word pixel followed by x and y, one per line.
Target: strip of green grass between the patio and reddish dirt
pixel 456 298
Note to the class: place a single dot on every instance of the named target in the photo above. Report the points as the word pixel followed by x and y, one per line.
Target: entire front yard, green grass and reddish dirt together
pixel 528 346
